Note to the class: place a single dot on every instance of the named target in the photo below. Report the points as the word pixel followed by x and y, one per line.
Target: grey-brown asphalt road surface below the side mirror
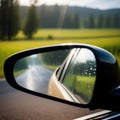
pixel 16 105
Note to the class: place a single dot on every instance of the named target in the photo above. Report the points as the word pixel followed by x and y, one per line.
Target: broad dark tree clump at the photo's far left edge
pixel 10 19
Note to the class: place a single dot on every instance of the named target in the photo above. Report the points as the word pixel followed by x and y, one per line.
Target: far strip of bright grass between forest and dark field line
pixel 76 33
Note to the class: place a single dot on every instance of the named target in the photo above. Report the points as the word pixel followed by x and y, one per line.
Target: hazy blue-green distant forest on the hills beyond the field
pixel 75 17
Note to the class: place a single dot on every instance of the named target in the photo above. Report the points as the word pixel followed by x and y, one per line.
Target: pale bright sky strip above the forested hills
pixel 97 4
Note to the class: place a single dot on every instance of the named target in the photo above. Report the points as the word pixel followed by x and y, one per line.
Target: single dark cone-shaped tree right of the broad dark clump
pixel 31 22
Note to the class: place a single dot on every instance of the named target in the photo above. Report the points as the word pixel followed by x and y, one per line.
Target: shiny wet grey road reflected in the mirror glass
pixel 35 78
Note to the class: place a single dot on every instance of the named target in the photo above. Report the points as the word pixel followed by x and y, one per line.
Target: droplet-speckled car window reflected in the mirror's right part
pixel 80 75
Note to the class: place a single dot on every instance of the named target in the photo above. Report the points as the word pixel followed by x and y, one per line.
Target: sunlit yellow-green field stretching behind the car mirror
pixel 105 38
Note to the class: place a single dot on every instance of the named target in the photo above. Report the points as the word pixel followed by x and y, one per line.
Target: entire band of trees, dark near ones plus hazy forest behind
pixel 28 19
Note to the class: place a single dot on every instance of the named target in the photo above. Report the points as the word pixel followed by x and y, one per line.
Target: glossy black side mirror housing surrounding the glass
pixel 106 94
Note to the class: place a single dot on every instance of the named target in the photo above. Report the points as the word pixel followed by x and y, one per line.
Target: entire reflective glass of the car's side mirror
pixel 68 74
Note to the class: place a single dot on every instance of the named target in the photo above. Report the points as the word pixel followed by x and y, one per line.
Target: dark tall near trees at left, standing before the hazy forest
pixel 10 20
